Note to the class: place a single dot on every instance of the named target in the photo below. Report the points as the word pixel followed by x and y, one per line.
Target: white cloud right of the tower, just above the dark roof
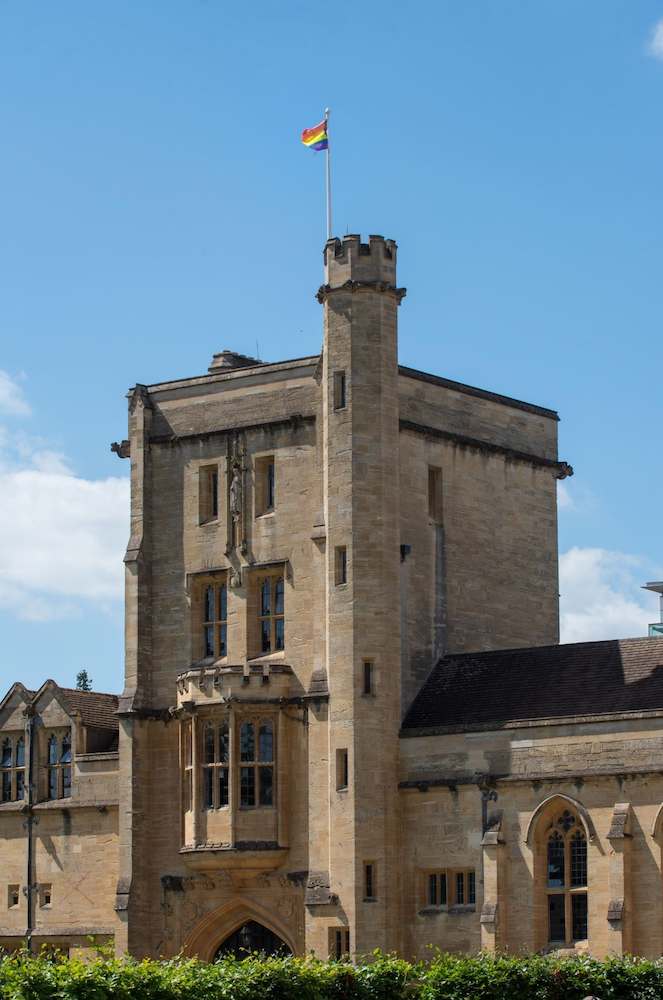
pixel 600 595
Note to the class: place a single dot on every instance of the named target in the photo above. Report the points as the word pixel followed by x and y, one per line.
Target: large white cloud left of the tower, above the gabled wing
pixel 62 537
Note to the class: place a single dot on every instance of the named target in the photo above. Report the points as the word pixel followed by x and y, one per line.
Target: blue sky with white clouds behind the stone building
pixel 158 206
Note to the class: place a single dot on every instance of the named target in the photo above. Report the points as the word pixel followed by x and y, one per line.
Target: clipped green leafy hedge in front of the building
pixel 446 977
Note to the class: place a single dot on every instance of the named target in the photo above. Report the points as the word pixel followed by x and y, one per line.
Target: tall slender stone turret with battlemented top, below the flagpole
pixel 361 497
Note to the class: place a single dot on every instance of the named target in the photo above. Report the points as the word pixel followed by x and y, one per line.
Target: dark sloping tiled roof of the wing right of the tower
pixel 493 689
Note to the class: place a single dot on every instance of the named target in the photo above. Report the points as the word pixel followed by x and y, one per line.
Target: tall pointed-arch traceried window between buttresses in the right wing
pixel 566 879
